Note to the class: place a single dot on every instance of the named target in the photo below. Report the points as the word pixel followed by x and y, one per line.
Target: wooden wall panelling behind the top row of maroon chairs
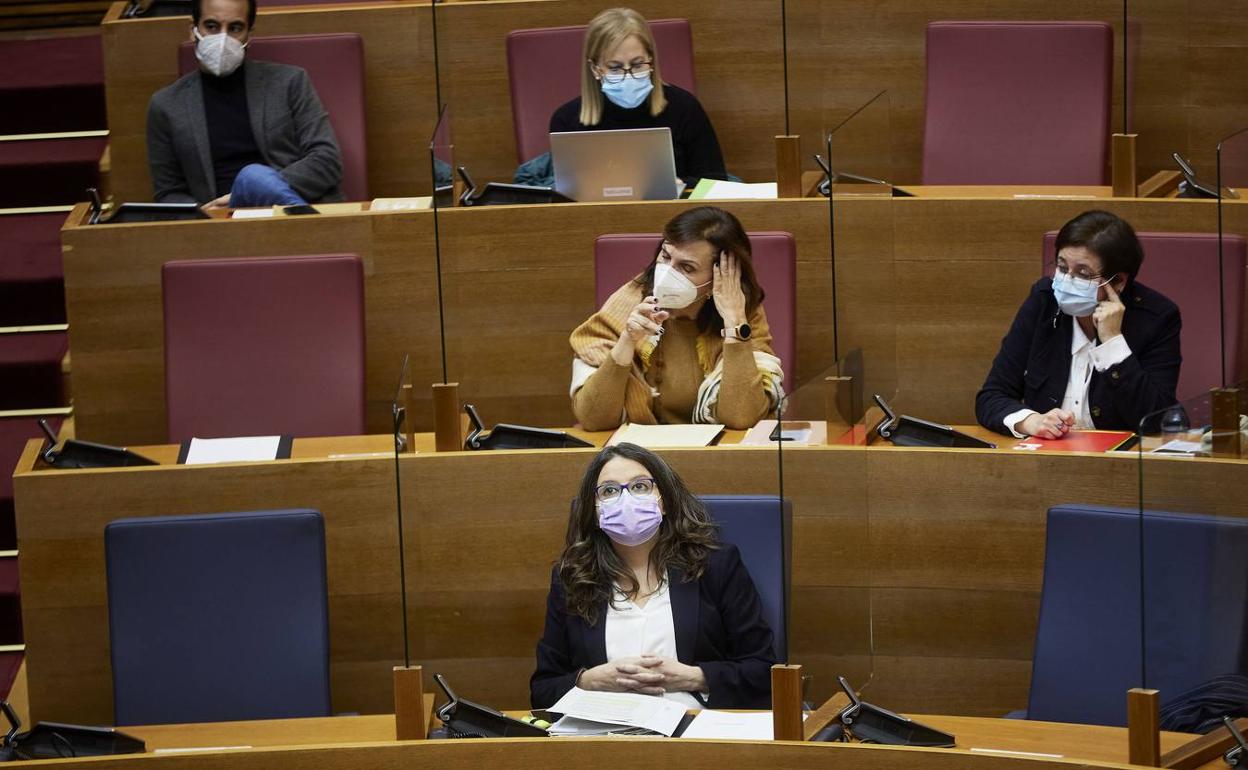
pixel 1189 88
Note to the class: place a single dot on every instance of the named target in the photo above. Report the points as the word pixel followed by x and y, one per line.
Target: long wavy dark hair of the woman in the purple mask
pixel 590 566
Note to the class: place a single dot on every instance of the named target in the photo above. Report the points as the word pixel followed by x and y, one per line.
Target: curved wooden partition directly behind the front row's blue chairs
pixel 917 568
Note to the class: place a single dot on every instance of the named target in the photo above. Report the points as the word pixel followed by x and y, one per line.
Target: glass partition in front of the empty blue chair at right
pixel 1194 502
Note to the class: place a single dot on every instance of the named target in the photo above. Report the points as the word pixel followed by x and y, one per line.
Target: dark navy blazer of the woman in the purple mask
pixel 719 627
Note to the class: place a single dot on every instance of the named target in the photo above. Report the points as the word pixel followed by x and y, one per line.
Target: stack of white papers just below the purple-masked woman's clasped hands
pixel 587 713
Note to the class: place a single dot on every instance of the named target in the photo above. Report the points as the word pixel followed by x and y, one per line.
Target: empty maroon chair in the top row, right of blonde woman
pixel 1018 103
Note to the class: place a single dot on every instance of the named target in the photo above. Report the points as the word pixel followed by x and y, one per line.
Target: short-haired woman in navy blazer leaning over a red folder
pixel 1090 348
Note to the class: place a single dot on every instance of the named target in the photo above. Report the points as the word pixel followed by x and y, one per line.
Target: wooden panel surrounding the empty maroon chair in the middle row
pixel 113 291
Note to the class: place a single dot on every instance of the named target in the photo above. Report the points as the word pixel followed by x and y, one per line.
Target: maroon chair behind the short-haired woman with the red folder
pixel 1185 268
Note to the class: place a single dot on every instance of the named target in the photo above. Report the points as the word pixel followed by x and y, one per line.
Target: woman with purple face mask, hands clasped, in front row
pixel 646 598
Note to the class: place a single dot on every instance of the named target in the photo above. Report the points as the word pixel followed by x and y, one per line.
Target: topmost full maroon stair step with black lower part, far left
pixel 52 84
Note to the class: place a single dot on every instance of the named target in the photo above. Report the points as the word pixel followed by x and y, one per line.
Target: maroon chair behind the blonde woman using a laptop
pixel 545 67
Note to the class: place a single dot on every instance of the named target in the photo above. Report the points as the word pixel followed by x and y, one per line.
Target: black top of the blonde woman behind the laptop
pixel 693 138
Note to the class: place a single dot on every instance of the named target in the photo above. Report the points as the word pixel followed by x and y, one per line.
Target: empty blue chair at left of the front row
pixel 219 617
